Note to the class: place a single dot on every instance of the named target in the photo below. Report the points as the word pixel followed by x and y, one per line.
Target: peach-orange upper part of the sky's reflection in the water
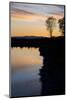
pixel 22 57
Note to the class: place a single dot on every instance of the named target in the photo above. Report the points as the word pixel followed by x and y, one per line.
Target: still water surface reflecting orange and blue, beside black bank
pixel 25 66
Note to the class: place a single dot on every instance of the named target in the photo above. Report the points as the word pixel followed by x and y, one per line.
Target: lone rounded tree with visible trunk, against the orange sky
pixel 50 22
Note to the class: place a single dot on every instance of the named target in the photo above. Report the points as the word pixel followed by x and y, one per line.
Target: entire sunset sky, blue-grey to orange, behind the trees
pixel 30 19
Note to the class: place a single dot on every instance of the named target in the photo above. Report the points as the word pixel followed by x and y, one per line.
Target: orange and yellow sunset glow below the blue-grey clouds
pixel 24 23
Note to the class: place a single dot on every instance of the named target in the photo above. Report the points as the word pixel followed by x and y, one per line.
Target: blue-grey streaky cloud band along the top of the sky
pixel 38 8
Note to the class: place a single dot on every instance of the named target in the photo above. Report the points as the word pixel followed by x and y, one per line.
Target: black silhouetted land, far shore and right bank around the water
pixel 52 73
